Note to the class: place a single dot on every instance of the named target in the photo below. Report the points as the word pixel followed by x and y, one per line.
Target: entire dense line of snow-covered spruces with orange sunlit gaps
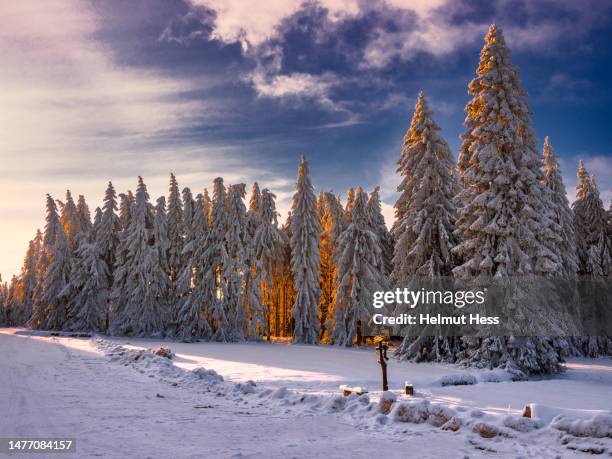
pixel 209 267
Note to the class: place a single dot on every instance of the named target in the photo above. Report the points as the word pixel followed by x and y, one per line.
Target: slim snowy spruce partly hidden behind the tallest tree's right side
pixel 562 212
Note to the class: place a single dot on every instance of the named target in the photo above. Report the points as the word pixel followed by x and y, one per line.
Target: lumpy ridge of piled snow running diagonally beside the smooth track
pixel 391 412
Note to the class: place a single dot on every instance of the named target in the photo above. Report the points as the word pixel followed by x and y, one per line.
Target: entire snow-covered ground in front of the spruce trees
pixel 97 392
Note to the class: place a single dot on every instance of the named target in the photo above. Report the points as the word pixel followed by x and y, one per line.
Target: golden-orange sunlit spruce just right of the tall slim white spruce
pixel 333 224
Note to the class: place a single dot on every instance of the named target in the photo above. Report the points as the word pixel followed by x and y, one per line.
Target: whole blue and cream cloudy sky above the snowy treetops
pixel 99 90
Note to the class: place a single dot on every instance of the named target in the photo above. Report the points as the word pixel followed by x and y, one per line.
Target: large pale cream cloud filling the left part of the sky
pixel 73 116
